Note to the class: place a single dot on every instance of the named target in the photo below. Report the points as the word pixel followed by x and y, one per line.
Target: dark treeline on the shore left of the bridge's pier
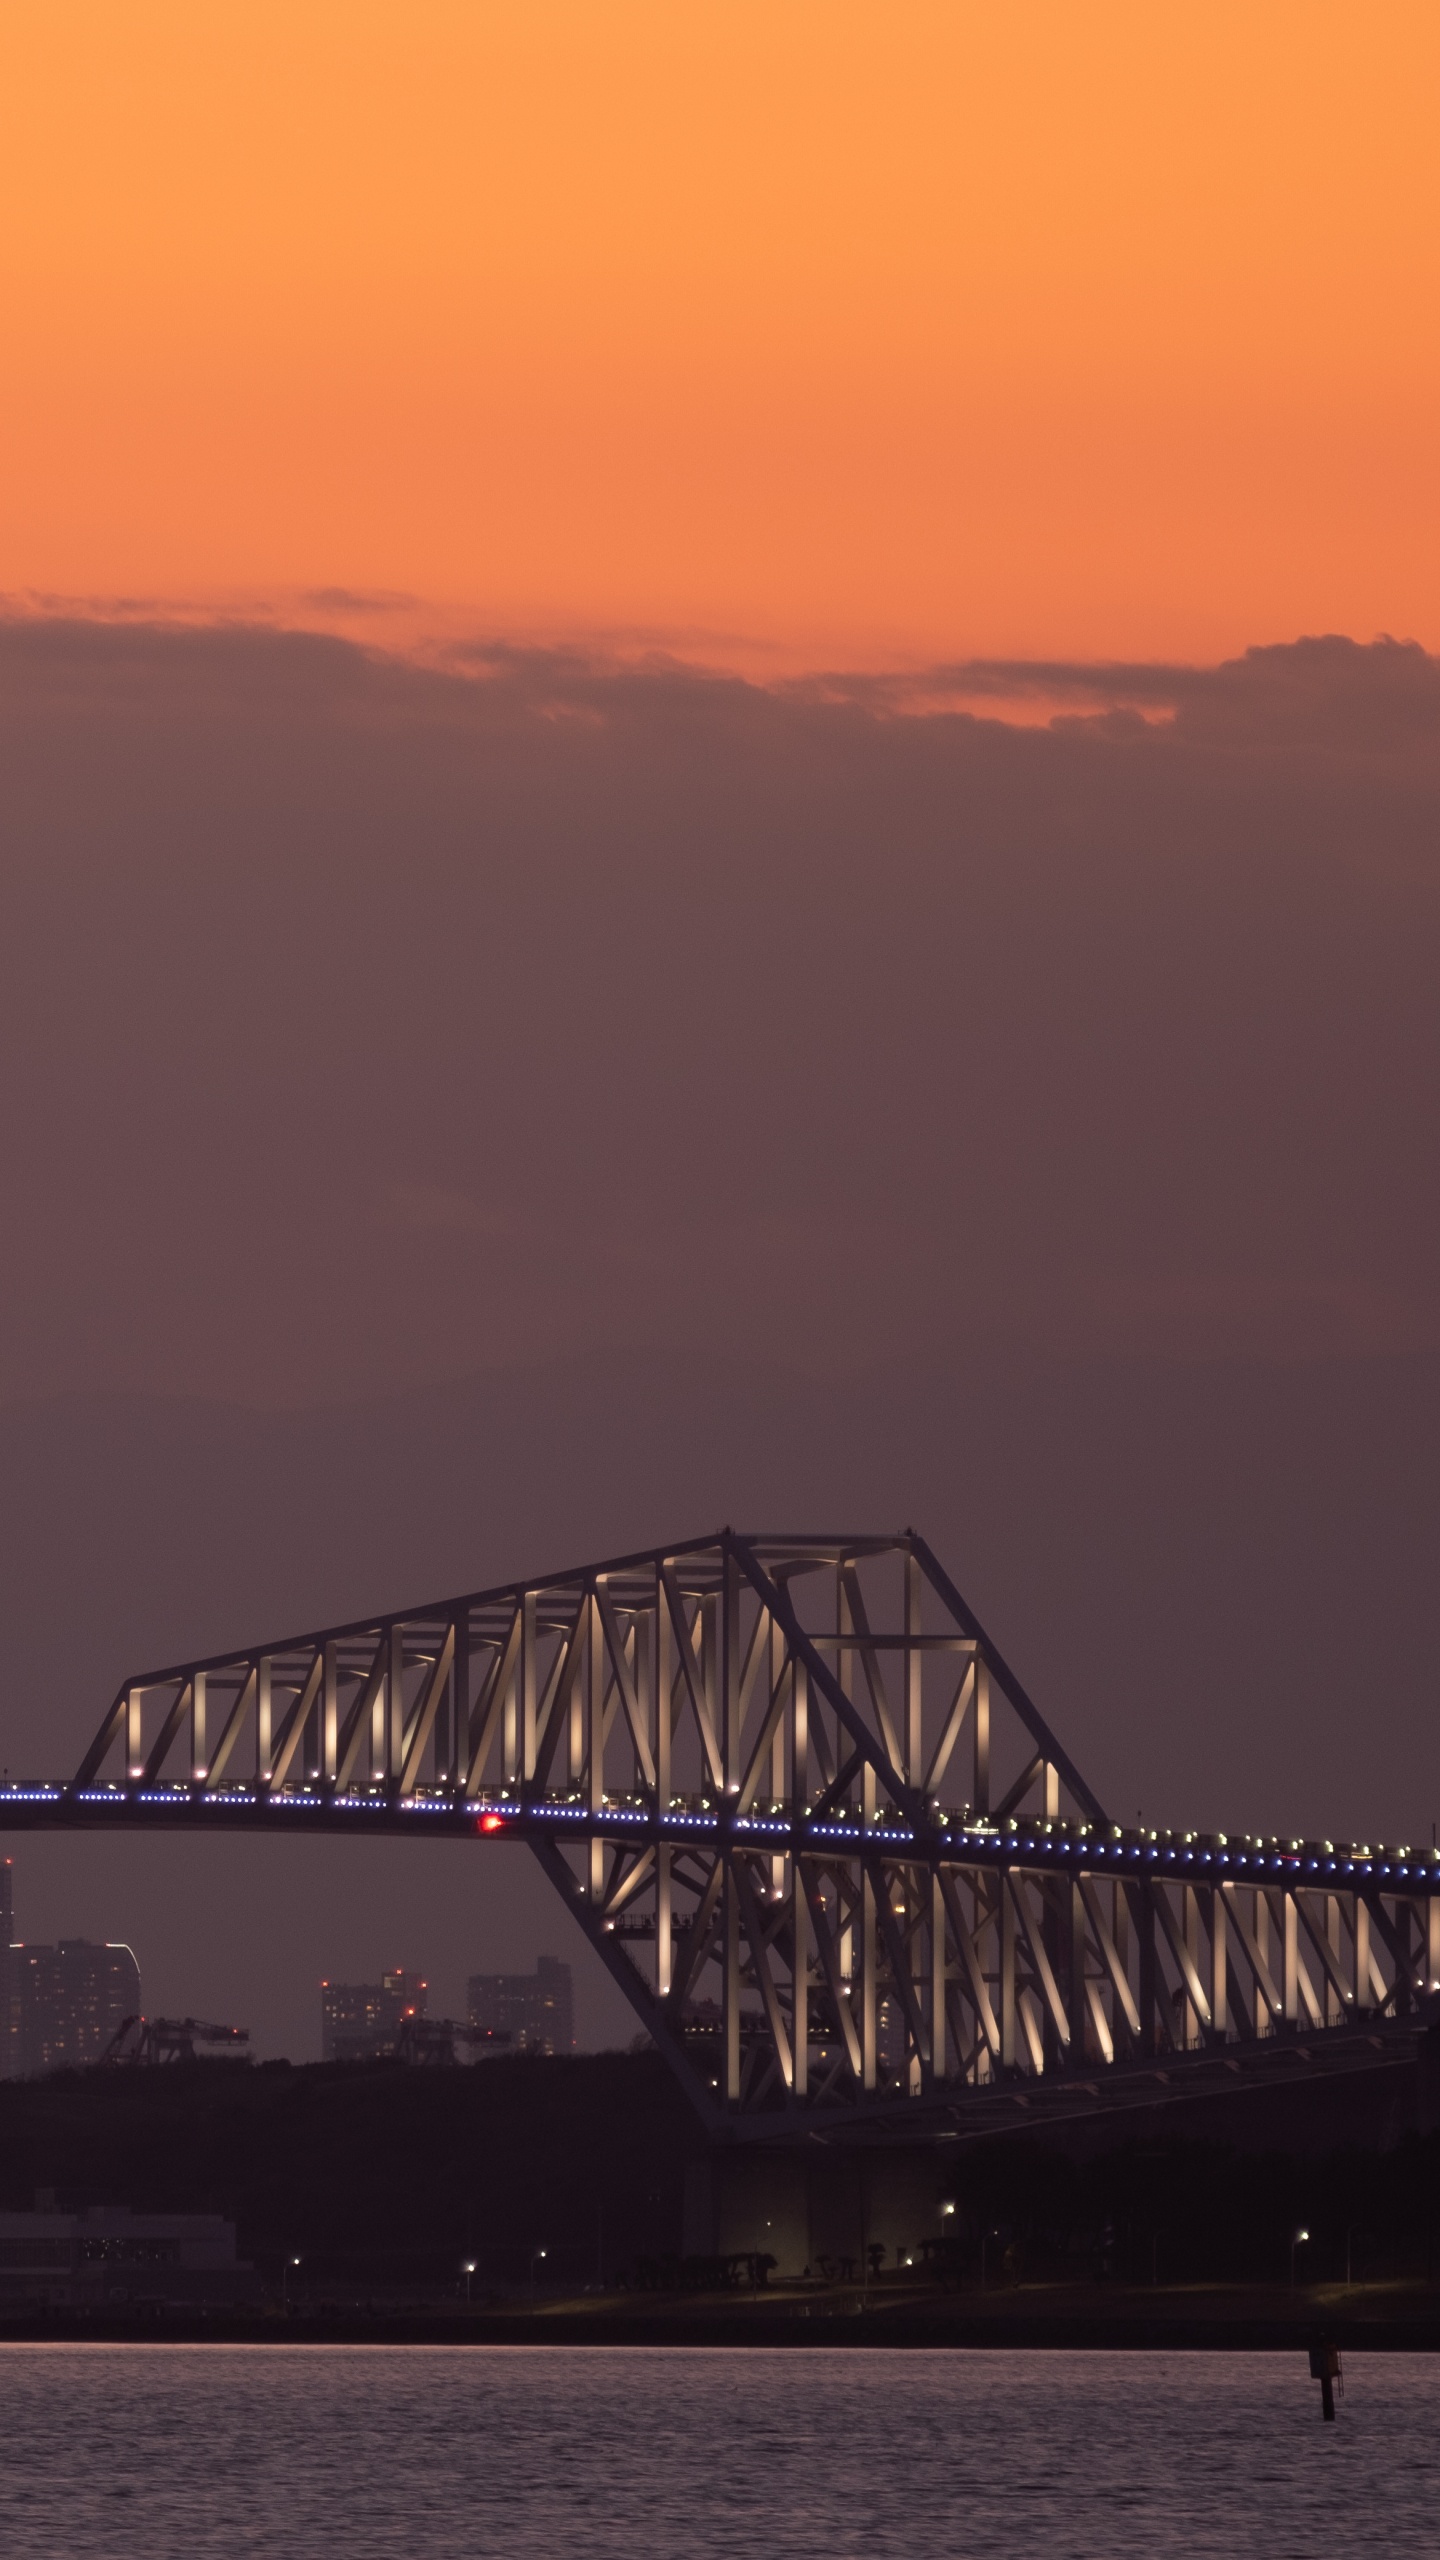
pixel 375 2175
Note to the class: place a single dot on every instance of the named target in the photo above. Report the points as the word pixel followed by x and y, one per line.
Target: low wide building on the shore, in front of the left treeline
pixel 117 2257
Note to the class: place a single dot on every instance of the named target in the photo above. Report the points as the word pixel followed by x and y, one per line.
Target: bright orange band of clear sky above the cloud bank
pixel 783 329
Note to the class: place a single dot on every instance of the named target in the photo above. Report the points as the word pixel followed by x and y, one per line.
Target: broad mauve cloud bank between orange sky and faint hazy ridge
pixel 370 1020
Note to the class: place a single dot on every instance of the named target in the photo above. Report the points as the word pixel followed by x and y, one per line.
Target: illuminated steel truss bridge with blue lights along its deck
pixel 808 1819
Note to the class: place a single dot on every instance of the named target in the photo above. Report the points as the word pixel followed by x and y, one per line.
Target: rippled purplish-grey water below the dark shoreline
pixel 557 2454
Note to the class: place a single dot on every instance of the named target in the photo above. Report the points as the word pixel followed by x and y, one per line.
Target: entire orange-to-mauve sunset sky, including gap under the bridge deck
pixel 706 815
